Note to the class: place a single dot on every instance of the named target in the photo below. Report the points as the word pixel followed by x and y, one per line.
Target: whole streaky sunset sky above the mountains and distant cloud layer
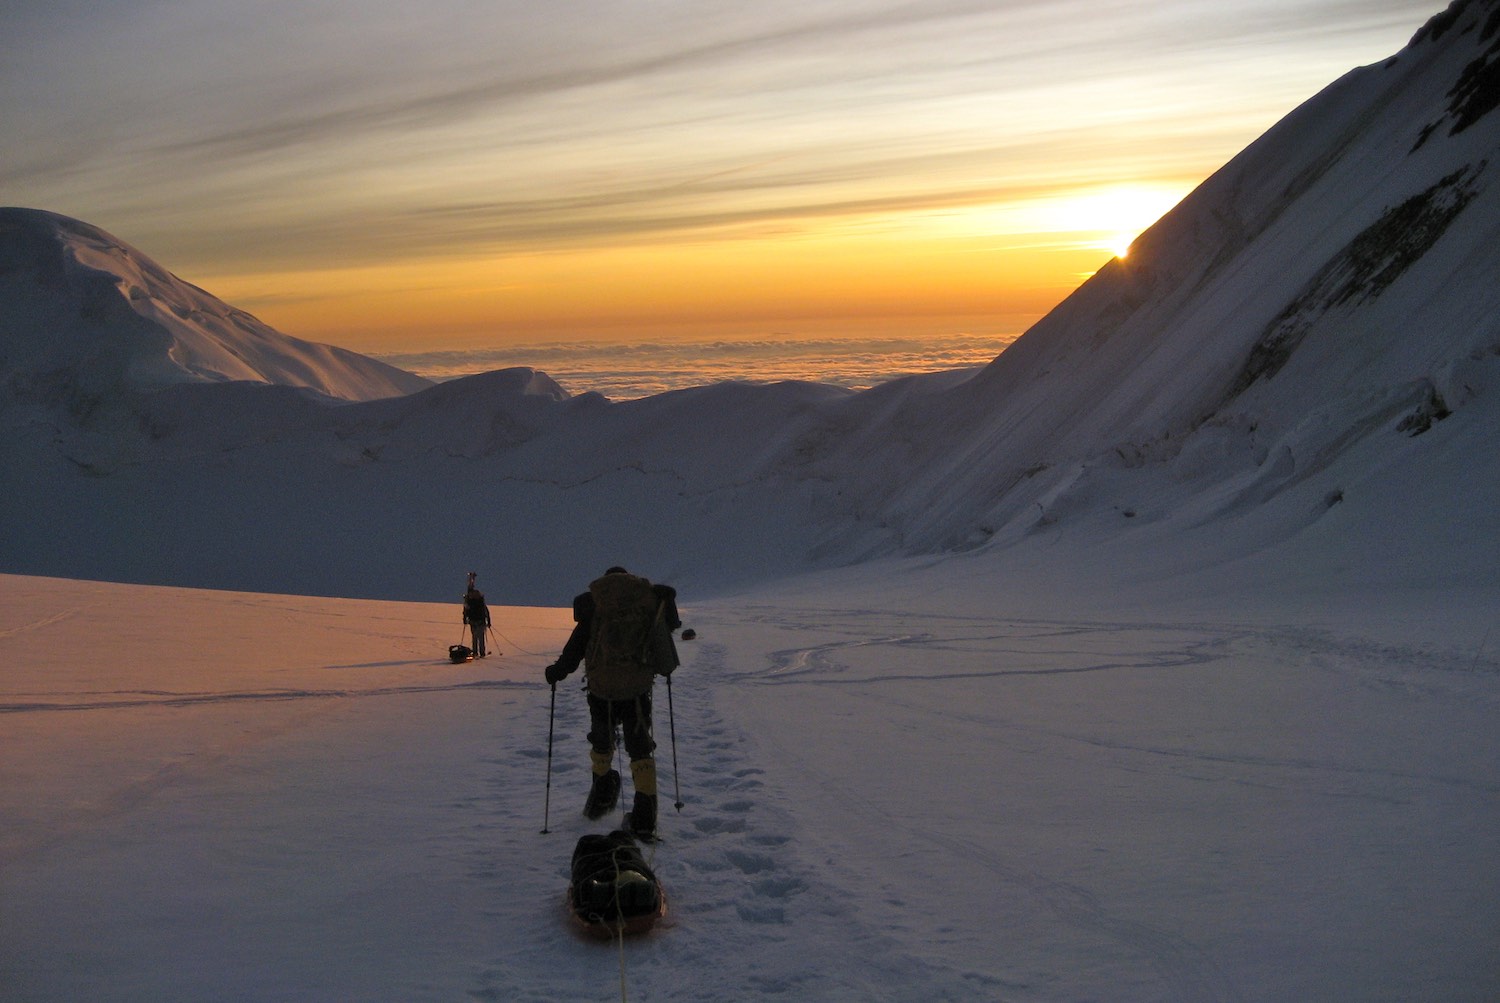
pixel 460 176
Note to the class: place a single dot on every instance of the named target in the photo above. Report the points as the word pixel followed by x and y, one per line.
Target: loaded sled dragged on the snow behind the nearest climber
pixel 614 893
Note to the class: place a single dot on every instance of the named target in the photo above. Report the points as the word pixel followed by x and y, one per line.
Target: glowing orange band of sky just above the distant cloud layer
pixel 863 278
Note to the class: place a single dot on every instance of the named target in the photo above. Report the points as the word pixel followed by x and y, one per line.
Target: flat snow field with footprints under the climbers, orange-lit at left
pixel 899 800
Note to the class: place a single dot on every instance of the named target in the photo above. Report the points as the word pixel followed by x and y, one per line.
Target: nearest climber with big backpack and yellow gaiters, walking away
pixel 623 636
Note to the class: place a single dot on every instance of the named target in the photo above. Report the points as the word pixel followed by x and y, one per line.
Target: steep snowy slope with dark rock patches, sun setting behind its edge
pixel 1277 340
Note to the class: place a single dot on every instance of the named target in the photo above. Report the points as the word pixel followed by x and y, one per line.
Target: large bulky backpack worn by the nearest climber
pixel 619 656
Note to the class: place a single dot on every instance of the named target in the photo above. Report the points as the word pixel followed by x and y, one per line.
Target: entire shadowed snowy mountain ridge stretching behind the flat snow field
pixel 1294 374
